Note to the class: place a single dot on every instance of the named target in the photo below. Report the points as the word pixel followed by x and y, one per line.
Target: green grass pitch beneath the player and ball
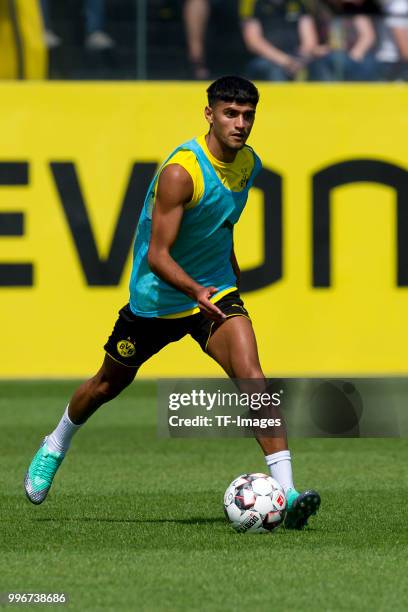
pixel 134 522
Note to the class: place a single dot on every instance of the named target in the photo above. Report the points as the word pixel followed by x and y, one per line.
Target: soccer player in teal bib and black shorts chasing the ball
pixel 185 280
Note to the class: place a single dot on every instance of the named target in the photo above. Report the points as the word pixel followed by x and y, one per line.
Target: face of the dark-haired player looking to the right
pixel 231 122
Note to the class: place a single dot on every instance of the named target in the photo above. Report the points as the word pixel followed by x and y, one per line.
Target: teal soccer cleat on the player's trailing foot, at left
pixel 40 474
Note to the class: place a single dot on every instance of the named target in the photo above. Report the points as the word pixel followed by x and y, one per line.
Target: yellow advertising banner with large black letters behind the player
pixel 323 241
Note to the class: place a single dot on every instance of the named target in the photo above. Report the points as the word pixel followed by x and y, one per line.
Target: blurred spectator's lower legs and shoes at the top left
pixel 96 39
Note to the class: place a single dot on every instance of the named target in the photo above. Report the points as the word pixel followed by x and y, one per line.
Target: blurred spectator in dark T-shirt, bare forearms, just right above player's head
pixel 283 37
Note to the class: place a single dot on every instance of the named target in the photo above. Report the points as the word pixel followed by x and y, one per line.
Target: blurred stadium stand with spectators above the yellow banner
pixel 320 40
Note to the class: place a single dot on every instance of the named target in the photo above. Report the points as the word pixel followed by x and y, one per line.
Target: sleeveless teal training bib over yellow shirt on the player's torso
pixel 205 240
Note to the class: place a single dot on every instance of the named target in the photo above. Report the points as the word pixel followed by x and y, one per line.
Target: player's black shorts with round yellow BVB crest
pixel 135 339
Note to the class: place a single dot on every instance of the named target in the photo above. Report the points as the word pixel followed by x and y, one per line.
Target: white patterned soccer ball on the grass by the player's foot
pixel 254 503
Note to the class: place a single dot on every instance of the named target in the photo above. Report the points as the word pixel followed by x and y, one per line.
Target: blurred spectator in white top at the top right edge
pixel 393 40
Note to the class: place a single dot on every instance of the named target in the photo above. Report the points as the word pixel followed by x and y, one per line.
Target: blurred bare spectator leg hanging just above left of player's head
pixel 196 14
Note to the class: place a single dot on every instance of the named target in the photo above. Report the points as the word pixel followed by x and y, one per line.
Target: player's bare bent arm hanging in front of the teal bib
pixel 175 189
